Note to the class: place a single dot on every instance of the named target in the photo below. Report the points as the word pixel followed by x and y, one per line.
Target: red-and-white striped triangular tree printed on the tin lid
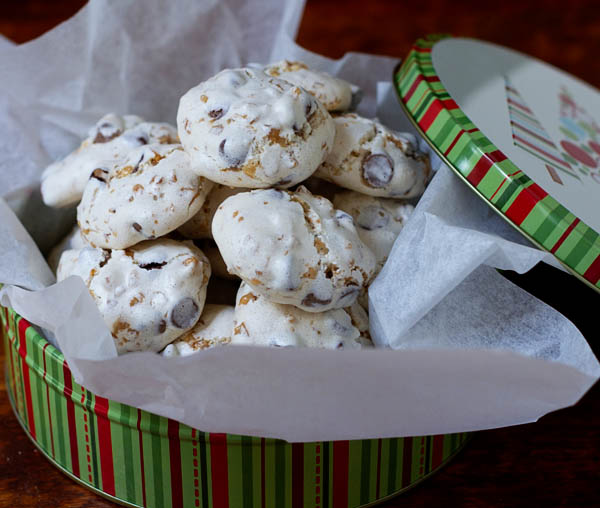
pixel 529 134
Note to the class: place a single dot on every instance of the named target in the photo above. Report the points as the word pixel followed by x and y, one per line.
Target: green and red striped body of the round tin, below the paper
pixel 137 458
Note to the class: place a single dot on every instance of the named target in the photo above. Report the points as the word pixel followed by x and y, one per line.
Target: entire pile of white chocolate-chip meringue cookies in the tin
pixel 269 181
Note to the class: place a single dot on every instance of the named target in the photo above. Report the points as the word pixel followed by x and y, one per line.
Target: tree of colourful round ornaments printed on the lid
pixel 581 144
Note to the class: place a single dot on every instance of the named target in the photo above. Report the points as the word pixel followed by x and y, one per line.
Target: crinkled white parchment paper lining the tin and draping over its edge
pixel 461 347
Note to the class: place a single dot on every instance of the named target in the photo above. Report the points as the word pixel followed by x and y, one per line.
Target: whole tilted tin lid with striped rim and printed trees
pixel 520 133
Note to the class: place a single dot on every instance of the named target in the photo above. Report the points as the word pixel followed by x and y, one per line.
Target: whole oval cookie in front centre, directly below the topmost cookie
pixel 293 247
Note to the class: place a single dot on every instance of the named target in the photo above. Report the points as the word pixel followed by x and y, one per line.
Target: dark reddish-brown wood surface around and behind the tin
pixel 554 462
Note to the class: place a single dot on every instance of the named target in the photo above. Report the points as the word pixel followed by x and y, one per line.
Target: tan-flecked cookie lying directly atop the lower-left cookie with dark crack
pixel 149 194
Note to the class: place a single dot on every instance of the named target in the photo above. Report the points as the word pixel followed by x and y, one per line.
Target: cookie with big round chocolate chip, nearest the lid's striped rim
pixel 369 158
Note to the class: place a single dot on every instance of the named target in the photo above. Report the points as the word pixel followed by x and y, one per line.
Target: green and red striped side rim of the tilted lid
pixel 488 171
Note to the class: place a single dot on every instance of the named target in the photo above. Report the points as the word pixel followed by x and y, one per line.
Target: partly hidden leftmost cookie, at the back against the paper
pixel 109 141
